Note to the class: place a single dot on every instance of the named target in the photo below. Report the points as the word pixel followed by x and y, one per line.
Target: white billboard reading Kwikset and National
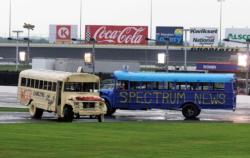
pixel 203 36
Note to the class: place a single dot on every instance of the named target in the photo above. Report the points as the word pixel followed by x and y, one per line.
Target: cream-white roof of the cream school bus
pixel 55 75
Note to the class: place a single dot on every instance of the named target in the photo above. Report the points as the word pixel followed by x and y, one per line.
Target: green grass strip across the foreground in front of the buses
pixel 125 140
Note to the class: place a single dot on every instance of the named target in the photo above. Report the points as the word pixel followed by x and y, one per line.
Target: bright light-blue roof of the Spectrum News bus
pixel 173 77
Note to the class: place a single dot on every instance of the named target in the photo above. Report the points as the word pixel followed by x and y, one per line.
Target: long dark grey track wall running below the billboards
pixel 144 56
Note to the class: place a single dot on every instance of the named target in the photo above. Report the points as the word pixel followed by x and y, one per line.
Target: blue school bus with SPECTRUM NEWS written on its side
pixel 188 92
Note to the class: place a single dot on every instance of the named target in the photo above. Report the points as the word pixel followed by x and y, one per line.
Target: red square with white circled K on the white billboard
pixel 63 32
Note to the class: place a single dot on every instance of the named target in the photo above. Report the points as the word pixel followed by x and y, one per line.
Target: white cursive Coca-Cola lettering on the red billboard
pixel 121 35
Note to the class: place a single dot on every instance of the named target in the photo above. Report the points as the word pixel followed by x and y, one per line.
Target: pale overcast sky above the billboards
pixel 187 13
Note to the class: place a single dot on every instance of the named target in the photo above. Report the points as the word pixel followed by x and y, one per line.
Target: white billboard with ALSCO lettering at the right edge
pixel 237 34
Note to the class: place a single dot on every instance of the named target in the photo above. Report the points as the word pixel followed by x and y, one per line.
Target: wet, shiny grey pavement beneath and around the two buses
pixel 8 98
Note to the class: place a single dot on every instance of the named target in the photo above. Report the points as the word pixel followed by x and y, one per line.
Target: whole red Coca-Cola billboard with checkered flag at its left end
pixel 109 34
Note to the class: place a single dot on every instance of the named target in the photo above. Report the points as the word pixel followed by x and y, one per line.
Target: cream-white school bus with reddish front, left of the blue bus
pixel 64 93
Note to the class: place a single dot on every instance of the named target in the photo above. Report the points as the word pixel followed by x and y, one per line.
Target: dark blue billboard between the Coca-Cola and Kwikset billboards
pixel 174 34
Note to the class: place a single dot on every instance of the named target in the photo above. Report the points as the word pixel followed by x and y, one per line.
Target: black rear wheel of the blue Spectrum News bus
pixel 190 111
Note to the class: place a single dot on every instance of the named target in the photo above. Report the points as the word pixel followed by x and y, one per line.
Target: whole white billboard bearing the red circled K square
pixel 62 33
